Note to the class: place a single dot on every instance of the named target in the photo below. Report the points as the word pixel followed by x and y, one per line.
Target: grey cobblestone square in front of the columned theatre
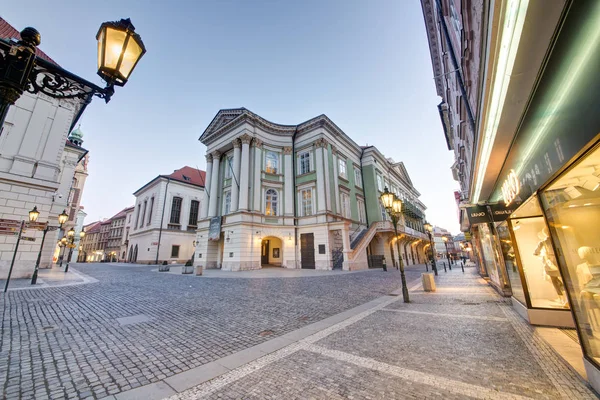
pixel 133 326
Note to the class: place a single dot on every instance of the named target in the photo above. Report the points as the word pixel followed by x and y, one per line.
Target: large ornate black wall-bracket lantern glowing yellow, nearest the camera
pixel 119 50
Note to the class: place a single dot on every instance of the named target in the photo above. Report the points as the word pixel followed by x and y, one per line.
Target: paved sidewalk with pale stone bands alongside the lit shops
pixel 464 341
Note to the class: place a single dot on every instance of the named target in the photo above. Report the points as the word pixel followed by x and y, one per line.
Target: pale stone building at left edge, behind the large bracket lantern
pixel 33 169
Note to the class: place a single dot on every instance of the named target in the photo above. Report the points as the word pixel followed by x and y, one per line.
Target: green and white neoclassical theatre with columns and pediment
pixel 299 196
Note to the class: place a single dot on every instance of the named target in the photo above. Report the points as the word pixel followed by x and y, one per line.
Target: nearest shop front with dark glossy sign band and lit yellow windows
pixel 551 243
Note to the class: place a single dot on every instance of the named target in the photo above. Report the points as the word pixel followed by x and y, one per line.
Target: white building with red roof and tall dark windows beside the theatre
pixel 165 218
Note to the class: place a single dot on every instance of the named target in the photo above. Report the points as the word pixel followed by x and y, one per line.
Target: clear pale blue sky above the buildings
pixel 365 64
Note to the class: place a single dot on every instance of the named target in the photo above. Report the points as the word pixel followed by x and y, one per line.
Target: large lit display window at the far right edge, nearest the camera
pixel 572 208
